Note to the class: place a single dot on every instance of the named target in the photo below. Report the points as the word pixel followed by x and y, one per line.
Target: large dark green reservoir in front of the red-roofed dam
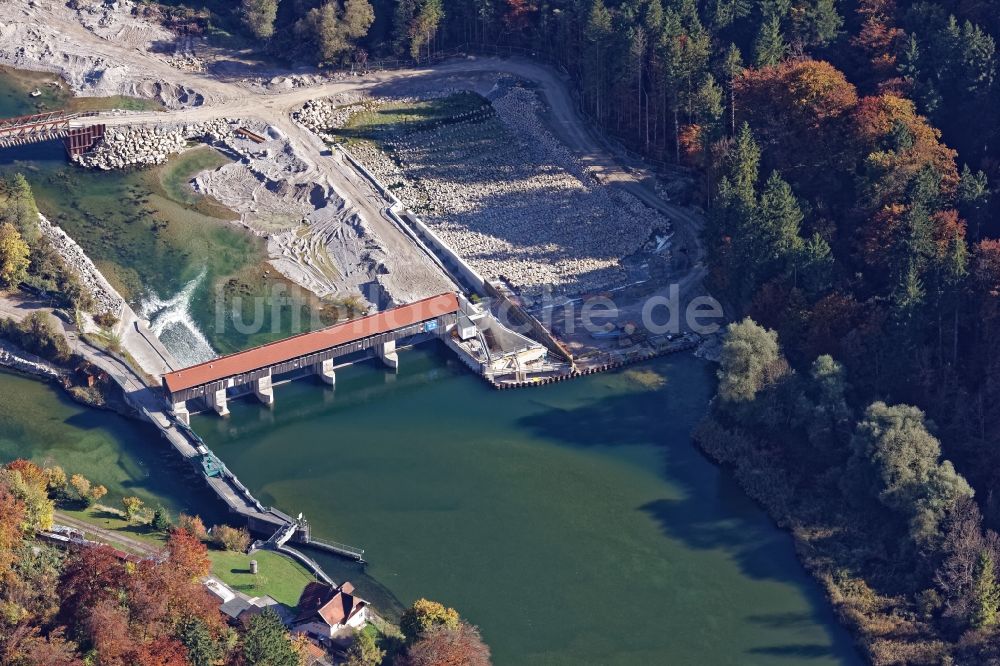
pixel 575 523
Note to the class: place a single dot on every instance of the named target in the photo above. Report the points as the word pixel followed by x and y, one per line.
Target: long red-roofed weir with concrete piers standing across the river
pixel 213 382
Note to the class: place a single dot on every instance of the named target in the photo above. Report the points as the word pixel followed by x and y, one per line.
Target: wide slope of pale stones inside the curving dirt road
pixel 513 201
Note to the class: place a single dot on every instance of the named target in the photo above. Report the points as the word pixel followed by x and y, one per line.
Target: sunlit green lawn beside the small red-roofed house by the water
pixel 281 578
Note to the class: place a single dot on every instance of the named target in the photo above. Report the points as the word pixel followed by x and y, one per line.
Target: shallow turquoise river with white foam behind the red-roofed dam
pixel 172 255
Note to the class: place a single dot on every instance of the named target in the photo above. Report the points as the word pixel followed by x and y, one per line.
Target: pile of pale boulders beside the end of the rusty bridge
pixel 141 146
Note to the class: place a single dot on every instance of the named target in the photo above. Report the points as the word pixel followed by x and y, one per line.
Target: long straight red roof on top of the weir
pixel 310 343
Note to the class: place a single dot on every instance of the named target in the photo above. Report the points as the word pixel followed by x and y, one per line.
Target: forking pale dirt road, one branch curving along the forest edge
pixel 209 97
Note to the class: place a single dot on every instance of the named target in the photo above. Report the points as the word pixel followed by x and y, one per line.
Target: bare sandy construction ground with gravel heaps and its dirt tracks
pixel 327 227
